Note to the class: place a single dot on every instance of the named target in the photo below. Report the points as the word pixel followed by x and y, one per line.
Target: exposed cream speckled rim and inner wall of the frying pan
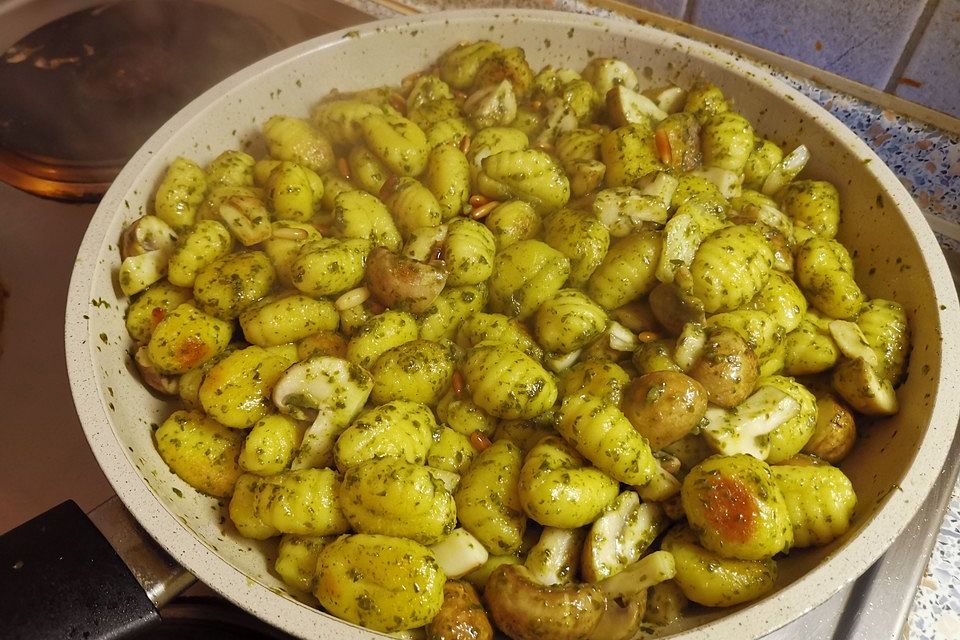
pixel 893 467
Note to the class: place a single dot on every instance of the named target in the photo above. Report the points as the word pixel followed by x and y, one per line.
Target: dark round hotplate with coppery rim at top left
pixel 79 95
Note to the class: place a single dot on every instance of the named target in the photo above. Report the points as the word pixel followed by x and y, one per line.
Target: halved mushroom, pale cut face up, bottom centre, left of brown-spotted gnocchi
pixel 620 536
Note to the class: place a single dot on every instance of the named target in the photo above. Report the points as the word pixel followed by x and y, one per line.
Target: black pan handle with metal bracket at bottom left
pixel 62 577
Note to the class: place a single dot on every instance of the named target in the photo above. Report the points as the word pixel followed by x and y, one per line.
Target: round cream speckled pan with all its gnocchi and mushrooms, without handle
pixel 519 323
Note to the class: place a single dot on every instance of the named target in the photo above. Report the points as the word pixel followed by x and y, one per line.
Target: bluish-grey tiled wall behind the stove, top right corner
pixel 907 47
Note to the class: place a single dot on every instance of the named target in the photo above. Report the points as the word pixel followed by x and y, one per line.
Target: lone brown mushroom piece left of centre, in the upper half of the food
pixel 403 283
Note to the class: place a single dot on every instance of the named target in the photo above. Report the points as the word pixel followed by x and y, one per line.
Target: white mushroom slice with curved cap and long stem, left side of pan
pixel 335 389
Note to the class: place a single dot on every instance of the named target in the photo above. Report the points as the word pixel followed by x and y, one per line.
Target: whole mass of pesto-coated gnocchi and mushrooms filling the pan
pixel 553 332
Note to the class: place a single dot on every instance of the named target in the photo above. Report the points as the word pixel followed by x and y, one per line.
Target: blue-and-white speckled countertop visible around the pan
pixel 927 161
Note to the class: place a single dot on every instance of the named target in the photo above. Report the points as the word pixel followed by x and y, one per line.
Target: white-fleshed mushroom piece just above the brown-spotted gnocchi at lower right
pixel 746 427
